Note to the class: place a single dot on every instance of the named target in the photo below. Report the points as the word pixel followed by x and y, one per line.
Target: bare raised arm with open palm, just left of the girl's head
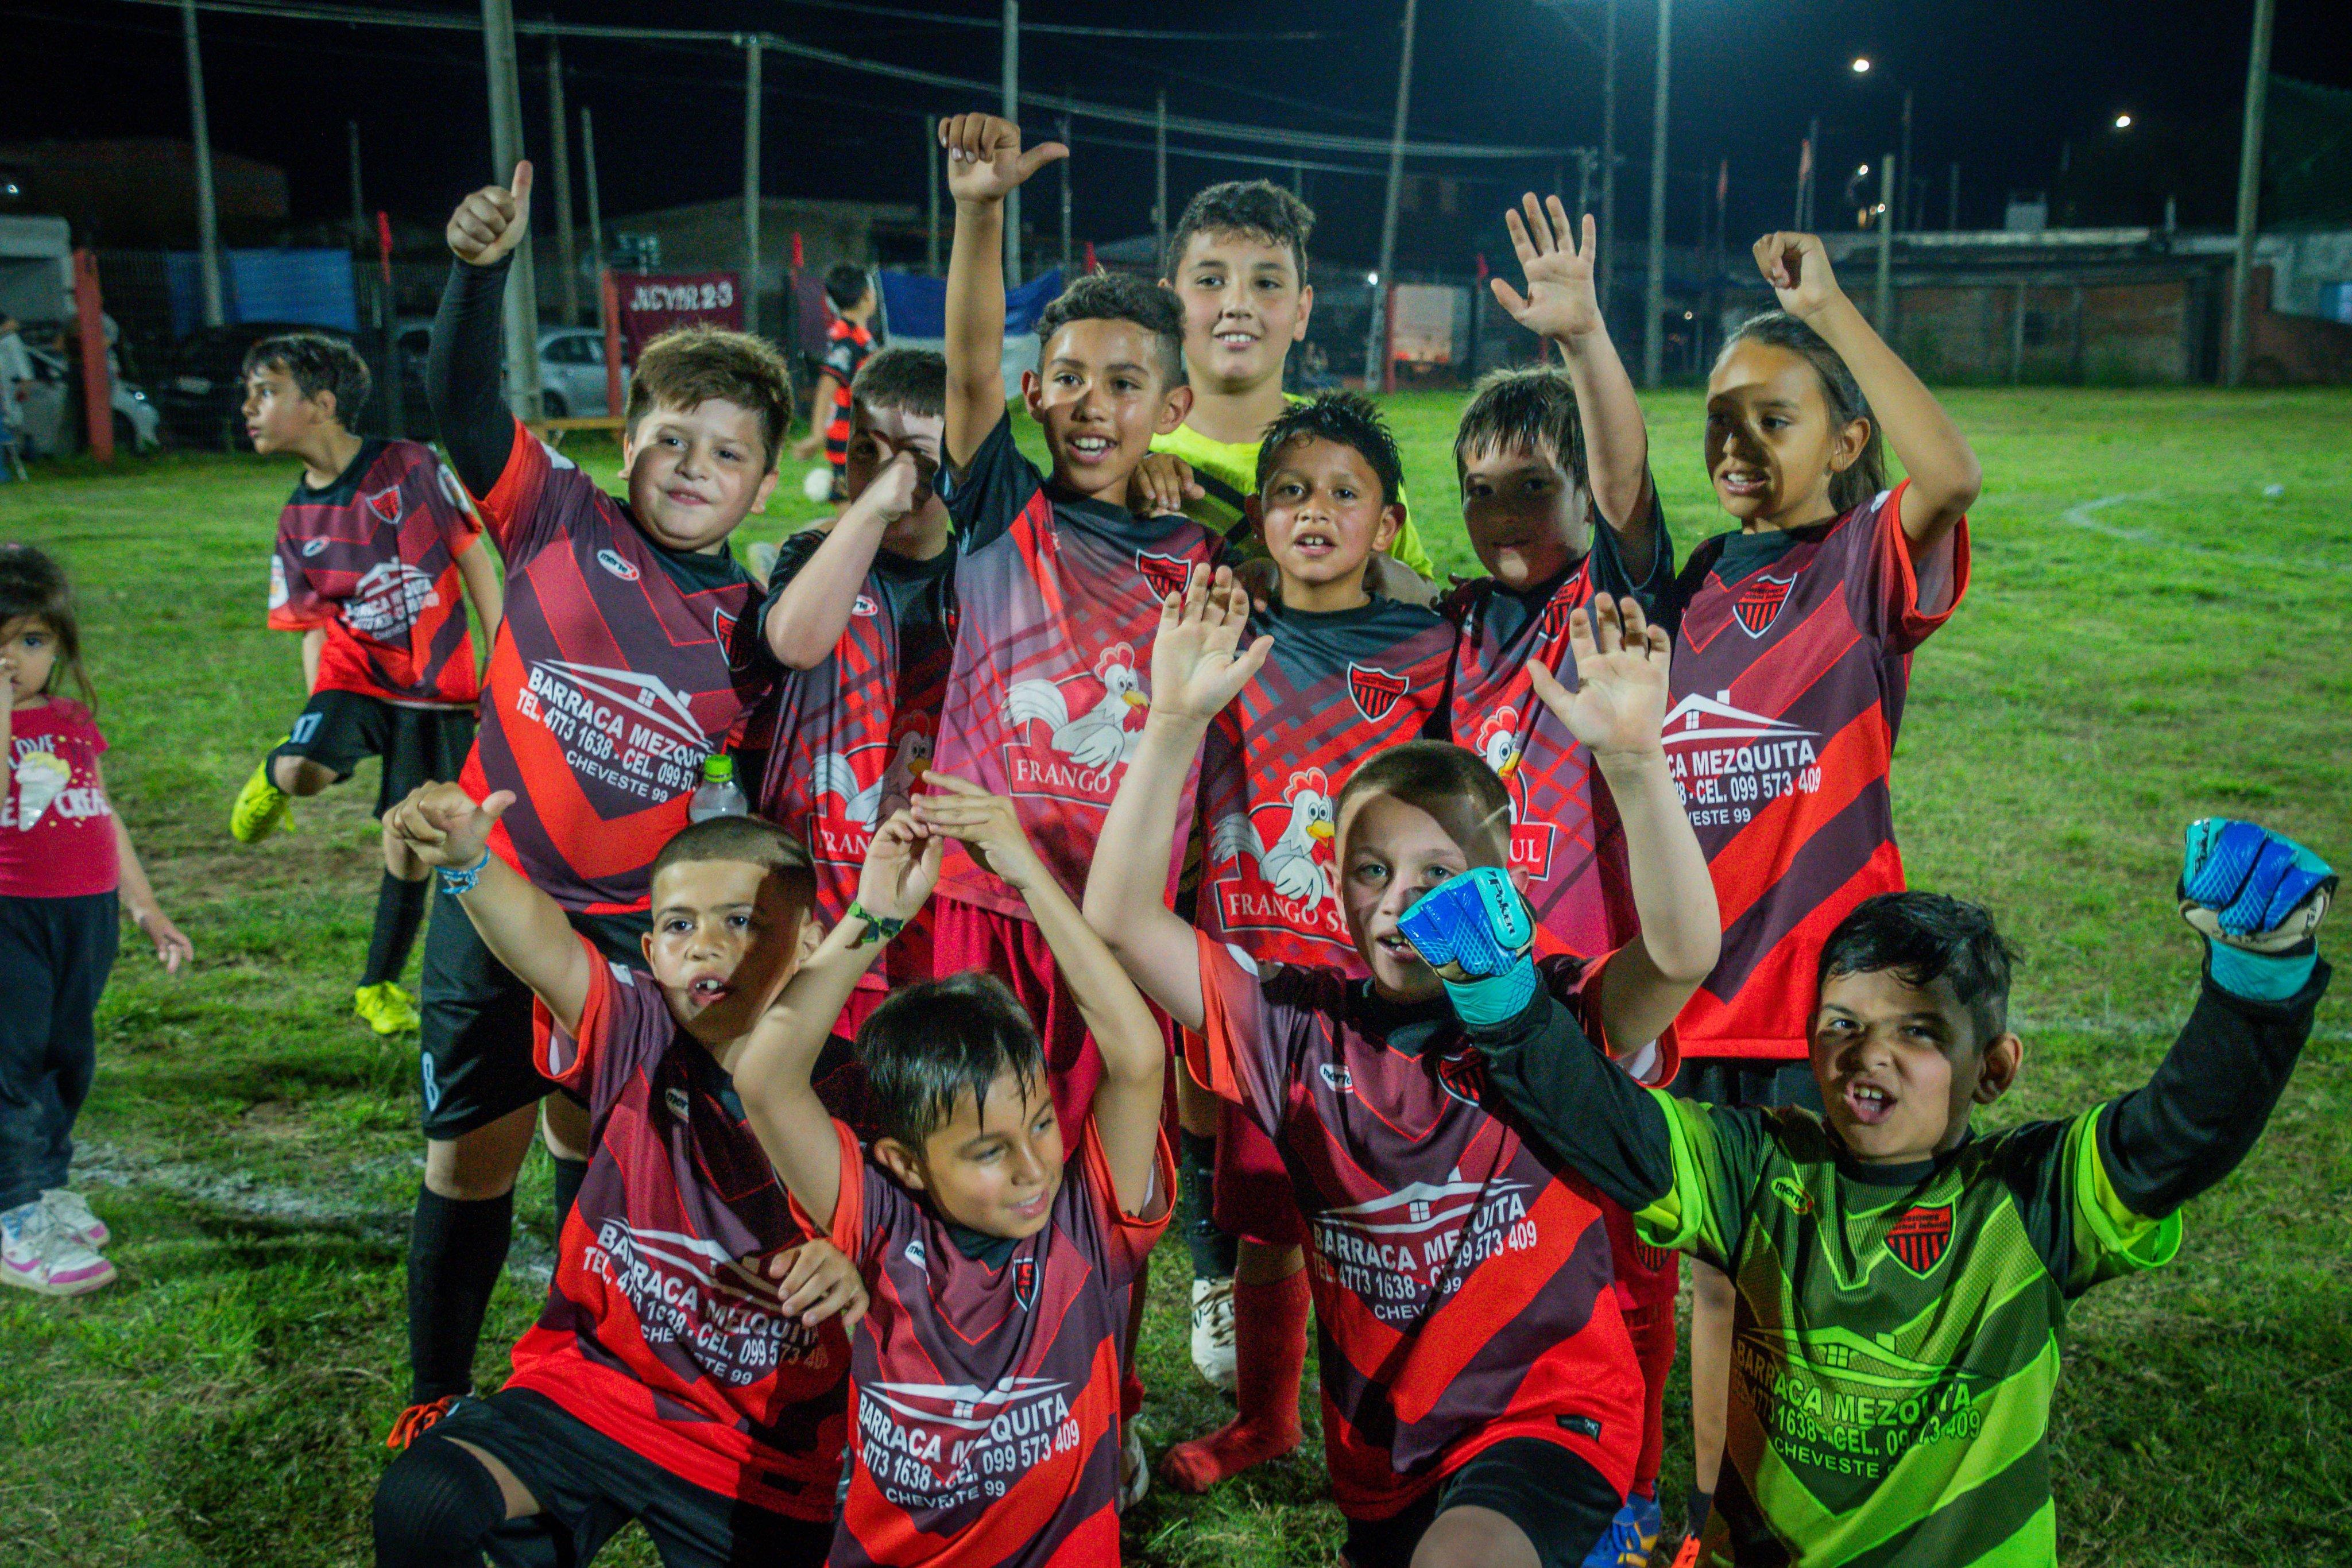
pixel 1563 307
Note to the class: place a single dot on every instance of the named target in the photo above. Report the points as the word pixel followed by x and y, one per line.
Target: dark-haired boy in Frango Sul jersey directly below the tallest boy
pixel 1349 676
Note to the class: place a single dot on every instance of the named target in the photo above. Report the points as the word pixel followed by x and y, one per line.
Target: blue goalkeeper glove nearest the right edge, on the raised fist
pixel 2257 897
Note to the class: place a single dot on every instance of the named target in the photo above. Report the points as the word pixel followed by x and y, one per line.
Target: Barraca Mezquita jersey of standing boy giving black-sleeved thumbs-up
pixel 620 666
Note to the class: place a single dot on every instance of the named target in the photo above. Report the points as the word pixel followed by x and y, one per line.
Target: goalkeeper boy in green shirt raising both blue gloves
pixel 1902 1280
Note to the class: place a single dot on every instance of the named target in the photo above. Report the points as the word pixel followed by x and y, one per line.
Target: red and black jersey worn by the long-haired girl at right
pixel 1791 671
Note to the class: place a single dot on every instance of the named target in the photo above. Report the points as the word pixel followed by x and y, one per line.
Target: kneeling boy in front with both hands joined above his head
pixel 987 1376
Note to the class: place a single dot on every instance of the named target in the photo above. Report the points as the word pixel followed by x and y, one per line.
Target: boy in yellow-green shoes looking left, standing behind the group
pixel 373 554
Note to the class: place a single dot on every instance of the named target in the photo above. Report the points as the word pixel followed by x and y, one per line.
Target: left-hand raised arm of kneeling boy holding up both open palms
pixel 1196 671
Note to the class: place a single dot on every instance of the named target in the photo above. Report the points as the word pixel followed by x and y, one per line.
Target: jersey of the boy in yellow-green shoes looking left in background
pixel 373 561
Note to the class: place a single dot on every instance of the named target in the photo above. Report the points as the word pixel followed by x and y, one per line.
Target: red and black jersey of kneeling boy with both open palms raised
pixel 1464 1287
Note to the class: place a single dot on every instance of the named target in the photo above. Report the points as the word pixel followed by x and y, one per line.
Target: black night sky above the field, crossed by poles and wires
pixel 2007 88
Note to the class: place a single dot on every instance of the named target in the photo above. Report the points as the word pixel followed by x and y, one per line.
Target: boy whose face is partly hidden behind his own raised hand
pixel 862 617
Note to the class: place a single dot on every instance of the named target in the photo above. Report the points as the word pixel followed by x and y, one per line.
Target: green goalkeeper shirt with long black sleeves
pixel 1899 1327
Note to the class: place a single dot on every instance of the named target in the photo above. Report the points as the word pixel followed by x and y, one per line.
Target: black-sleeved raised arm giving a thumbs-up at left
pixel 465 363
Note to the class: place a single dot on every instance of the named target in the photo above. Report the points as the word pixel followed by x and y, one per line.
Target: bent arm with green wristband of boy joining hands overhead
pixel 773 1064
